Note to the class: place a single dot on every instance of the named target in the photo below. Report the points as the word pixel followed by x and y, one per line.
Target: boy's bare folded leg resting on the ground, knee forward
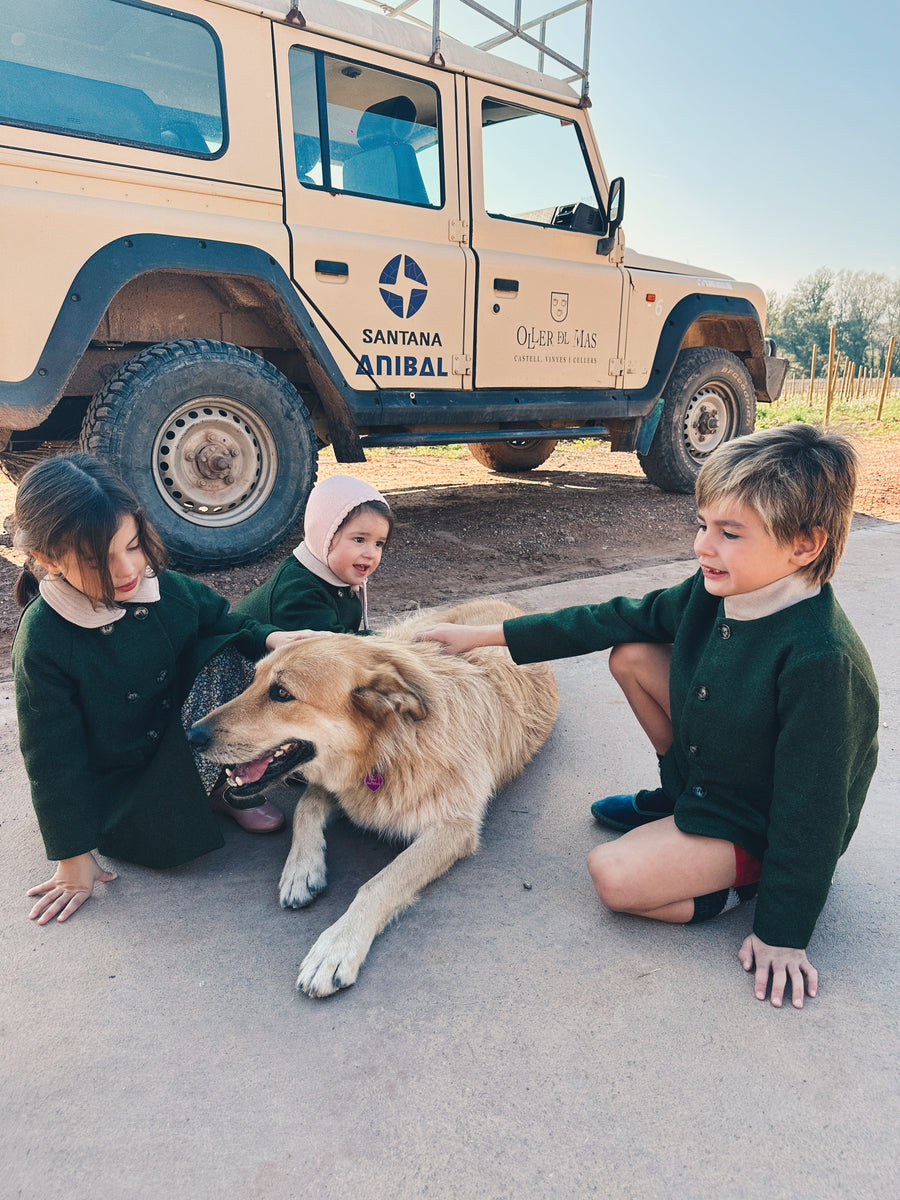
pixel 657 871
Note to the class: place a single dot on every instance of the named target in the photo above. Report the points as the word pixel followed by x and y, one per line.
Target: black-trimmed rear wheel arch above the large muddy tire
pixel 109 299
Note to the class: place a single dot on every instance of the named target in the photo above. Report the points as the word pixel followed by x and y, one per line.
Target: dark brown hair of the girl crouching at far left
pixel 75 505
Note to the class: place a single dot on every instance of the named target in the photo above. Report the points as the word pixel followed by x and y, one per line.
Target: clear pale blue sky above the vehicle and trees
pixel 758 139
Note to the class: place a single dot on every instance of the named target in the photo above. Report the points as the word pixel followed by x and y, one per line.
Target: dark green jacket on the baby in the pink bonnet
pixel 295 598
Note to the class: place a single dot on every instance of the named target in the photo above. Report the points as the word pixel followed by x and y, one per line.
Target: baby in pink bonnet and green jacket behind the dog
pixel 323 584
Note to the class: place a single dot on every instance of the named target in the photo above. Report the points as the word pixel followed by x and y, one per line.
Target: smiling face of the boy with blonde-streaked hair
pixel 737 555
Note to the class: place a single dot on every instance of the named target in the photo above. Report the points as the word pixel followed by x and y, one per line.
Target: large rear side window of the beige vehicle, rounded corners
pixel 112 70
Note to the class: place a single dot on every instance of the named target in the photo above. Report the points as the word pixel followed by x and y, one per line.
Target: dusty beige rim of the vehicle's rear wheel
pixel 215 461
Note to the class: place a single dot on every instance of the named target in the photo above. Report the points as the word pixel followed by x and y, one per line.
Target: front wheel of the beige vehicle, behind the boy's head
pixel 710 399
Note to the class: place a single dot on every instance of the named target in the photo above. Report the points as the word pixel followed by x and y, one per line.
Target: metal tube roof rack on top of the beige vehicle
pixel 532 33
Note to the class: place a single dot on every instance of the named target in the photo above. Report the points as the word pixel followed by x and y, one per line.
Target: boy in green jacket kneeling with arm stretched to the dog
pixel 757 694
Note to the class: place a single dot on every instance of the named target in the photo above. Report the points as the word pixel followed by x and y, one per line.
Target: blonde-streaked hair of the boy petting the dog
pixel 797 478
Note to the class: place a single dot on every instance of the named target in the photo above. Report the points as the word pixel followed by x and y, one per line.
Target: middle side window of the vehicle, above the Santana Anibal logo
pixel 367 131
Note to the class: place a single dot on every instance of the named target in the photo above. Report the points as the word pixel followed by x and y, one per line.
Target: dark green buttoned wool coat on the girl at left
pixel 100 727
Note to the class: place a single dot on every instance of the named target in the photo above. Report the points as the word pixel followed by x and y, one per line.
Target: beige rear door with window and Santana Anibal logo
pixel 373 203
